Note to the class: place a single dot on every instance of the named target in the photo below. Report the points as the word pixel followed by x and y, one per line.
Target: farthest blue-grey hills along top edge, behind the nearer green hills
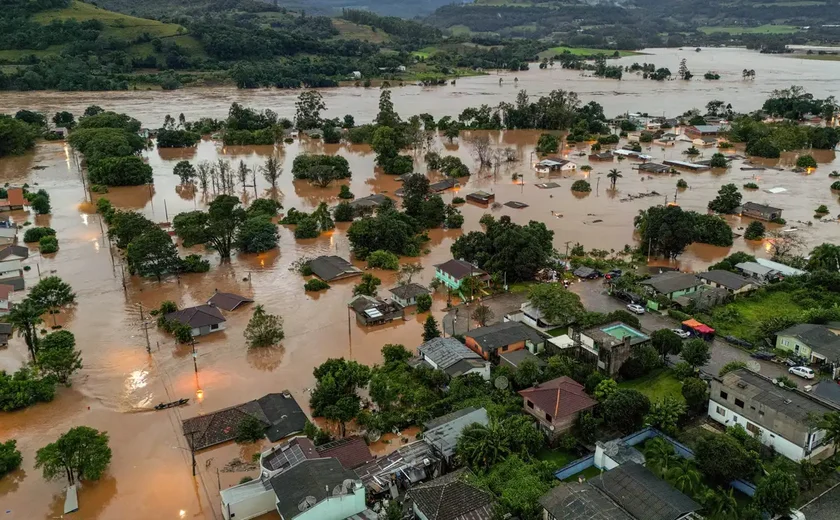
pixel 157 8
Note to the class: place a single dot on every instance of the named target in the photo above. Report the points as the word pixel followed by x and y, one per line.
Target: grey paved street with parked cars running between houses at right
pixel 594 298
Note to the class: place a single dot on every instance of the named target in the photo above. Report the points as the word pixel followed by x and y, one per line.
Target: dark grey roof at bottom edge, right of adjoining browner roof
pixel 642 494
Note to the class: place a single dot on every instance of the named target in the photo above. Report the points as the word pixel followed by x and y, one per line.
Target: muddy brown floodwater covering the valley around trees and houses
pixel 149 476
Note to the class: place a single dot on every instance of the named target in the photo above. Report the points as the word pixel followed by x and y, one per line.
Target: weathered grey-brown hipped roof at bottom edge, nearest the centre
pixel 451 498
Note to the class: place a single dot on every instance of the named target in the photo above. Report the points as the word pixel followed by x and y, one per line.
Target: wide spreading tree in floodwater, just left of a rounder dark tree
pixel 215 228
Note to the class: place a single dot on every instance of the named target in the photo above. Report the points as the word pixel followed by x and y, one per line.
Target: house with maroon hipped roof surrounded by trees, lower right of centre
pixel 557 403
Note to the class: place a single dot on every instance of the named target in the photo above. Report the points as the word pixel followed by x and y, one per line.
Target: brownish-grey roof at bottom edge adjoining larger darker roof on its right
pixel 581 501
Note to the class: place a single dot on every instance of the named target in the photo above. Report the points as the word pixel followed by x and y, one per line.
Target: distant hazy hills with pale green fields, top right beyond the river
pixel 634 24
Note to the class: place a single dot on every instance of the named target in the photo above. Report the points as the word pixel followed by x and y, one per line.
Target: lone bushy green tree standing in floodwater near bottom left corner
pixel 82 453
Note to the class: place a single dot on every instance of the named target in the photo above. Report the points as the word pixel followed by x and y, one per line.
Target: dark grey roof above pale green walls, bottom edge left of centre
pixel 310 478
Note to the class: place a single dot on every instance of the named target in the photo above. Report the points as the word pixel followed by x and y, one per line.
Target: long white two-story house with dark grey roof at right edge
pixel 777 416
